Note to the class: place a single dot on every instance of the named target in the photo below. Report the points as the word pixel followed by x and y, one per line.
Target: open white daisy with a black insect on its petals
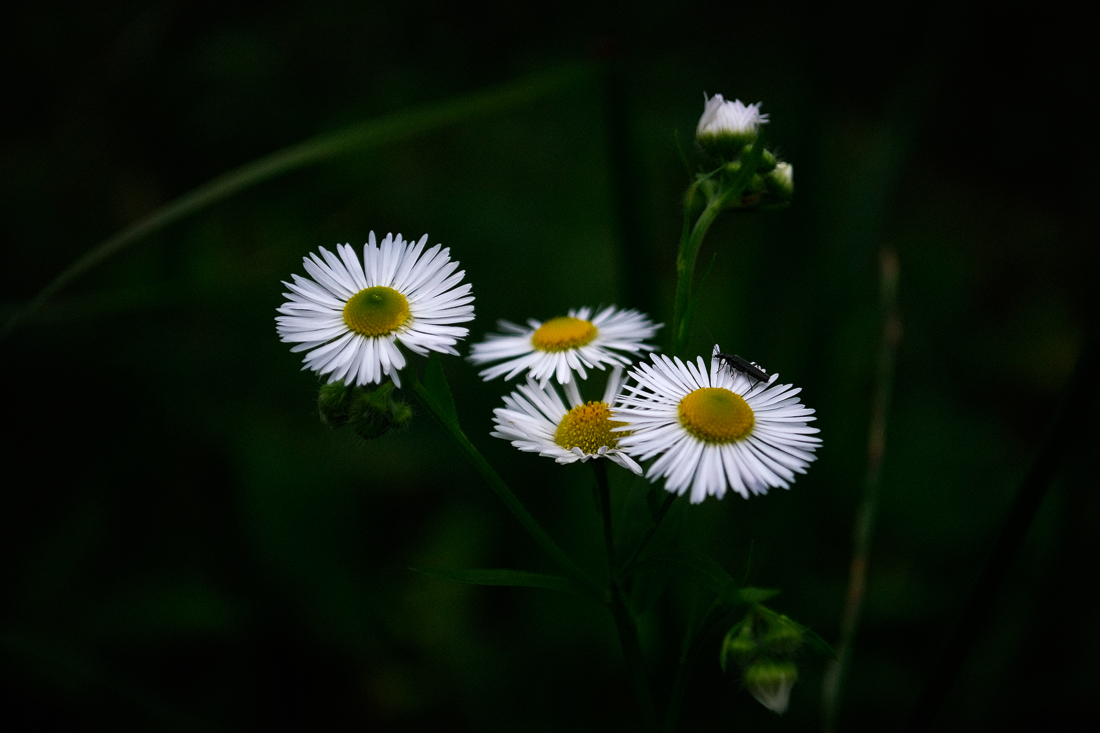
pixel 716 431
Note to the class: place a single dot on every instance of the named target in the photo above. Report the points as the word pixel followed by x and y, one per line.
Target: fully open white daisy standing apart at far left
pixel 350 318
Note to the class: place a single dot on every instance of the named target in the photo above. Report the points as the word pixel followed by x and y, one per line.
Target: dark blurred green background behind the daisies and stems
pixel 184 546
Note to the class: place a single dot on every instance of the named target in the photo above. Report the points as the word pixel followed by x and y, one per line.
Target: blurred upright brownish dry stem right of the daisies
pixel 868 509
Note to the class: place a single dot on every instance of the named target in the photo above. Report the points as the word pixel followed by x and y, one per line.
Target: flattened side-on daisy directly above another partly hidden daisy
pixel 565 345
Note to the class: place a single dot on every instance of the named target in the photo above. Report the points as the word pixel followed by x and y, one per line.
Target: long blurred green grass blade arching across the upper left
pixel 372 134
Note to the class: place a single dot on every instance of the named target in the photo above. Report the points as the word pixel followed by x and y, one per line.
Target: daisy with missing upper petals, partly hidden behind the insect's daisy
pixel 536 421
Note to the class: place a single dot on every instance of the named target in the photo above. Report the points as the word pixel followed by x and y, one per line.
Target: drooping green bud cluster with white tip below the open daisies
pixel 764 646
